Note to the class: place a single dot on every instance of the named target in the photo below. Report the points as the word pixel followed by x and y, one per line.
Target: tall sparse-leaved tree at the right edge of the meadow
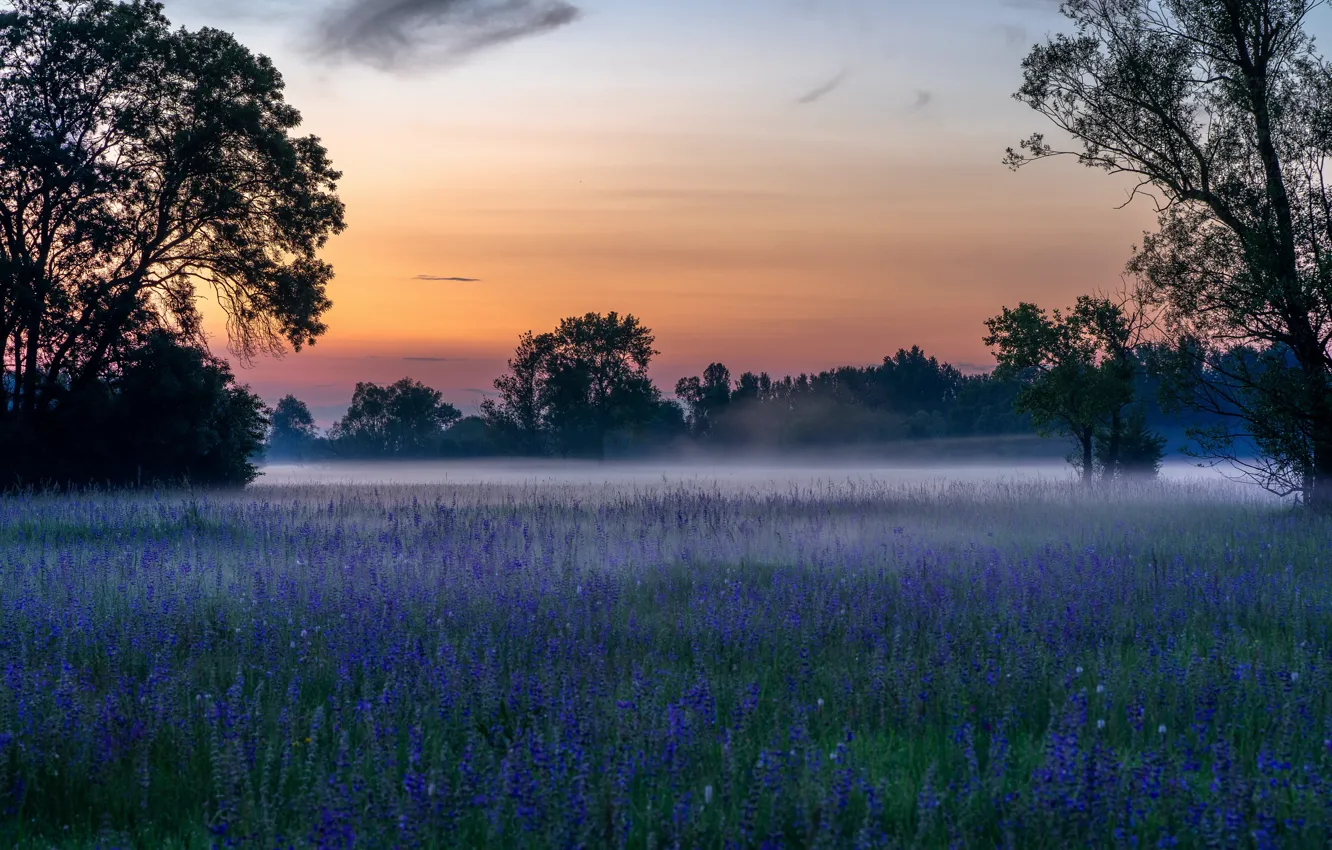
pixel 1222 111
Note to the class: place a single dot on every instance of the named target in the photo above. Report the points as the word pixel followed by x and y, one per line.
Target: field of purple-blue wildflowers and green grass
pixel 697 667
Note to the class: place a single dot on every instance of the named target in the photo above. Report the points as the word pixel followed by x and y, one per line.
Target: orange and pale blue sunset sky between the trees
pixel 780 186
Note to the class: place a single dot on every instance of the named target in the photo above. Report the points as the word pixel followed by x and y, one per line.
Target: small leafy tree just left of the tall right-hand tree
pixel 1077 372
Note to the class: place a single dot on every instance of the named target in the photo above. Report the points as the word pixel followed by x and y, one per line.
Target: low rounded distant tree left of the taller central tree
pixel 406 419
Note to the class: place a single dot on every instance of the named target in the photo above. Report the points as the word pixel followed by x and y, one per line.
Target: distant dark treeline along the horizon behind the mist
pixel 583 391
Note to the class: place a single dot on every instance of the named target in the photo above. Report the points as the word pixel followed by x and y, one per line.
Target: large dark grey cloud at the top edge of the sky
pixel 392 34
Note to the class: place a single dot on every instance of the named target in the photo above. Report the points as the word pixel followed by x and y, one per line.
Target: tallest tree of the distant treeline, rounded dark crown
pixel 569 390
